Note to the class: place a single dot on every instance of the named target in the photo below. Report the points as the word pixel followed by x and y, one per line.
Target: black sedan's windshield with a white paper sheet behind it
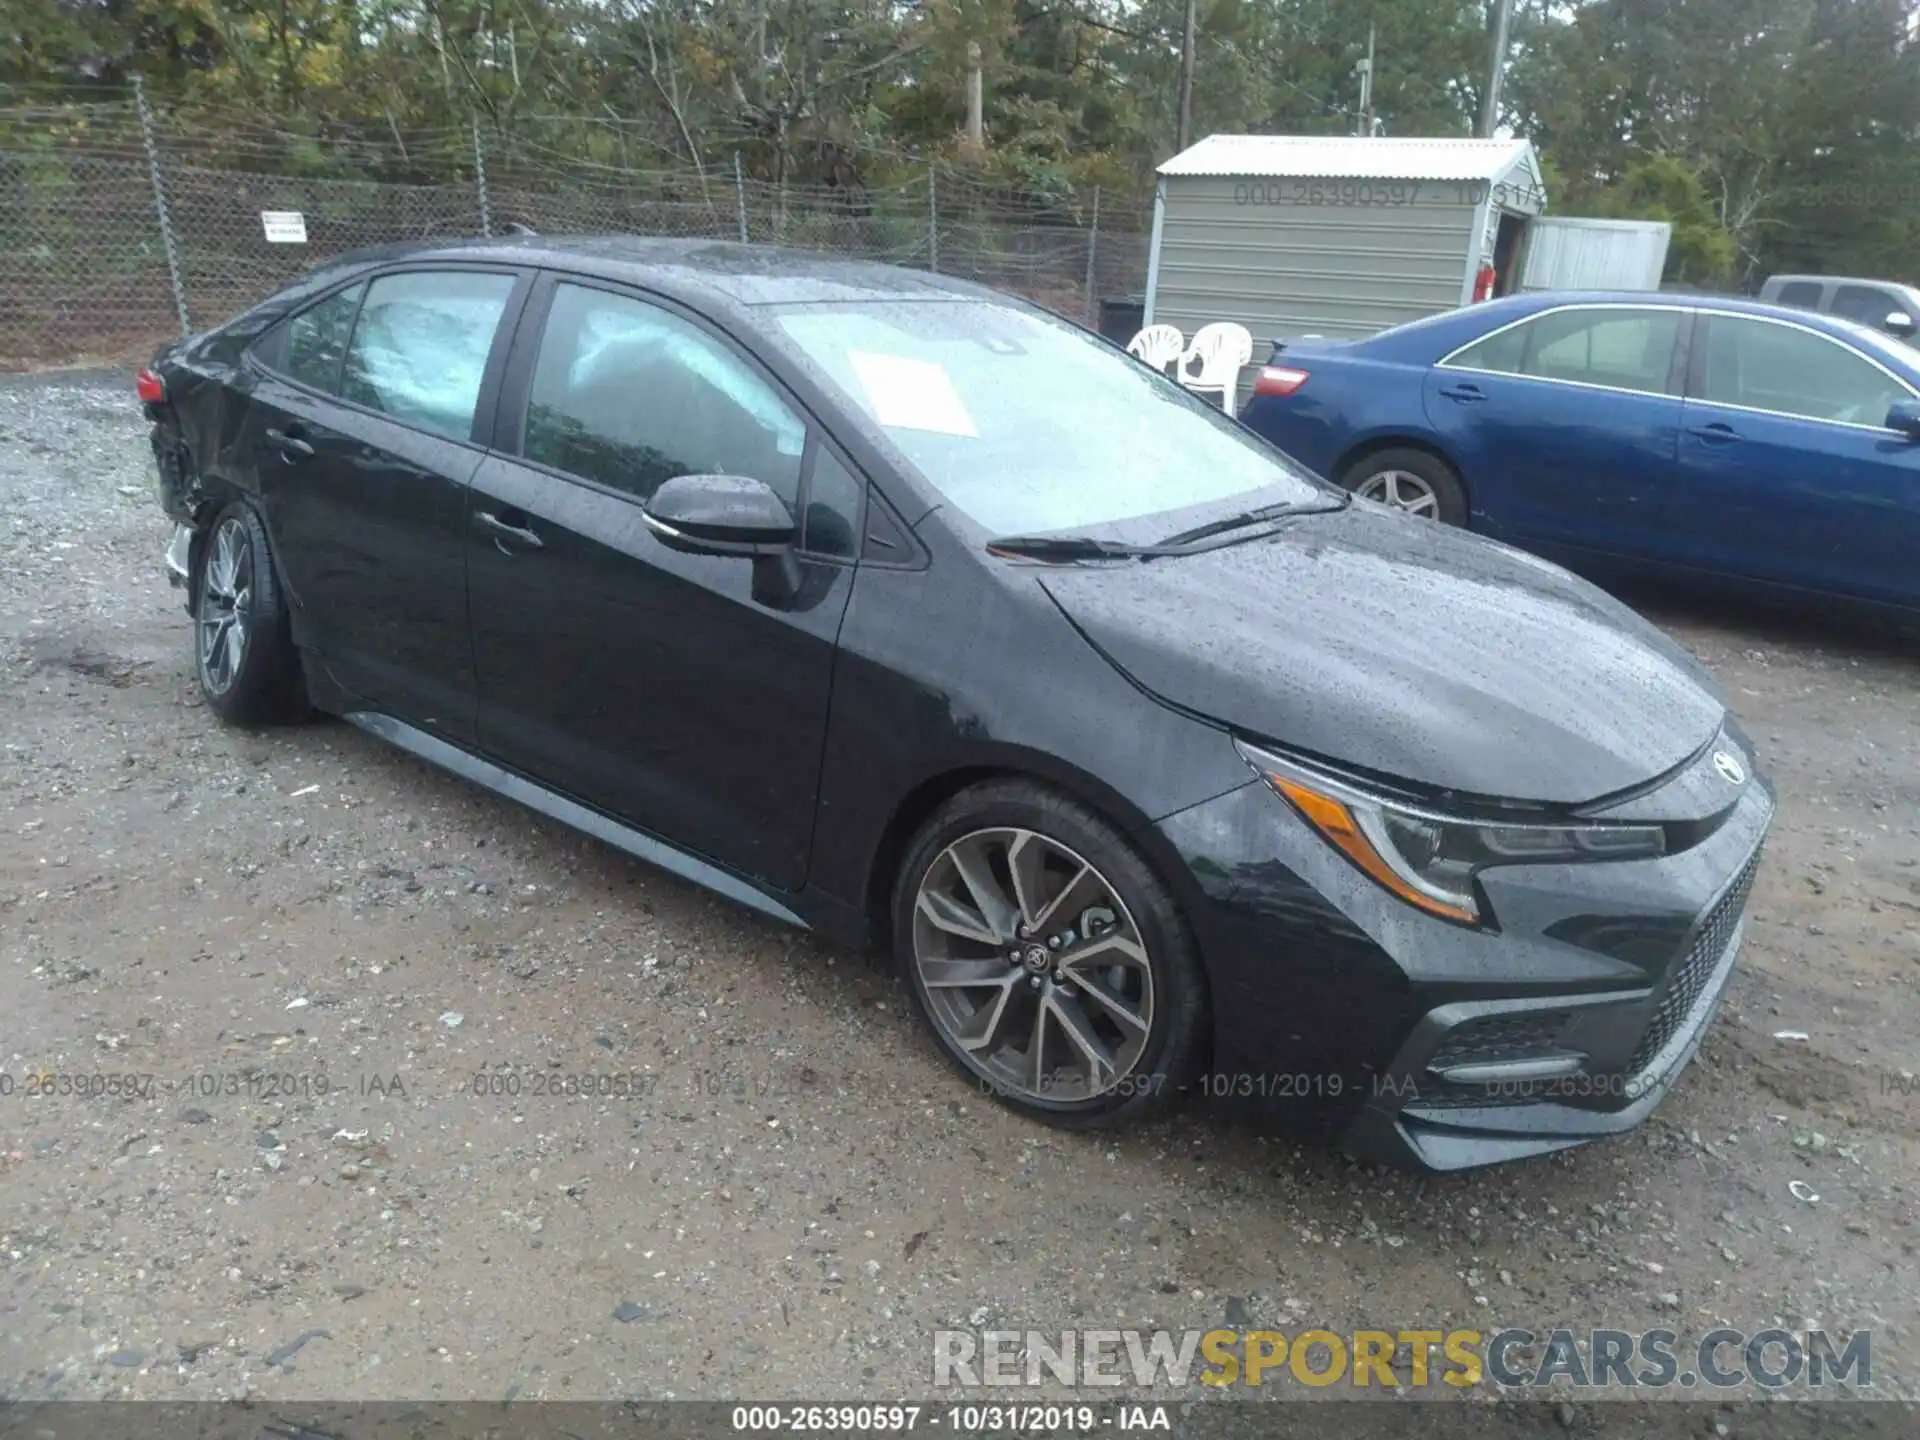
pixel 1030 425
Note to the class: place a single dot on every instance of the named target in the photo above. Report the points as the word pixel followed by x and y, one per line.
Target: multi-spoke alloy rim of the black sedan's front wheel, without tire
pixel 1032 967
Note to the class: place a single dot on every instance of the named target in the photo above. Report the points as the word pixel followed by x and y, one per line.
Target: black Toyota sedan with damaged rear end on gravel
pixel 913 615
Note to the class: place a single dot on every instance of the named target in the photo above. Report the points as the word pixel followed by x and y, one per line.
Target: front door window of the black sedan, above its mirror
pixel 629 396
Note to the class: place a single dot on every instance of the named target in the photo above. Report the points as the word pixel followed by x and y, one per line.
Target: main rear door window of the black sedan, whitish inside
pixel 421 345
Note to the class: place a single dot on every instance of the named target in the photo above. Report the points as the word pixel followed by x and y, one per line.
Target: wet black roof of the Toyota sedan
pixel 704 272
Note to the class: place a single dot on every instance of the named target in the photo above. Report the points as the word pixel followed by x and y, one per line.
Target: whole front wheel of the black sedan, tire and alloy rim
pixel 1036 942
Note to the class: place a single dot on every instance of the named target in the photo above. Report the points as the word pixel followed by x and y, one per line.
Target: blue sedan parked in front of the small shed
pixel 1656 433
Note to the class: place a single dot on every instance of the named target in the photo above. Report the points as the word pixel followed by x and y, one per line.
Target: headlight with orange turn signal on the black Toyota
pixel 1428 859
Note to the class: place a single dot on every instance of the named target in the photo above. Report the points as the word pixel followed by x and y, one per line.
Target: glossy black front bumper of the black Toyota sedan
pixel 1349 1017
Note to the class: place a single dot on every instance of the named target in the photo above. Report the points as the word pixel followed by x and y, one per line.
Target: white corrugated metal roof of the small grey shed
pixel 1351 156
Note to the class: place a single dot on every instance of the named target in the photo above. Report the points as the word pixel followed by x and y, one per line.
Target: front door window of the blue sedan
pixel 1762 366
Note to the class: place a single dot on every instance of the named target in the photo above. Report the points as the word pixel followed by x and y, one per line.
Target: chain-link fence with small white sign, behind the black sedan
pixel 122 226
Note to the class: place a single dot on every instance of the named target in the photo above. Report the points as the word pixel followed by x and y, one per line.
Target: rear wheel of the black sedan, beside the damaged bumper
pixel 245 654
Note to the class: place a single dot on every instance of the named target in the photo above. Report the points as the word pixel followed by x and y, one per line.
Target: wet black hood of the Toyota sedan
pixel 1408 650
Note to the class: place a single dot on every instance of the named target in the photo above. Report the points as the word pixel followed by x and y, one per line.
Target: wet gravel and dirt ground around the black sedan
pixel 798 1193
